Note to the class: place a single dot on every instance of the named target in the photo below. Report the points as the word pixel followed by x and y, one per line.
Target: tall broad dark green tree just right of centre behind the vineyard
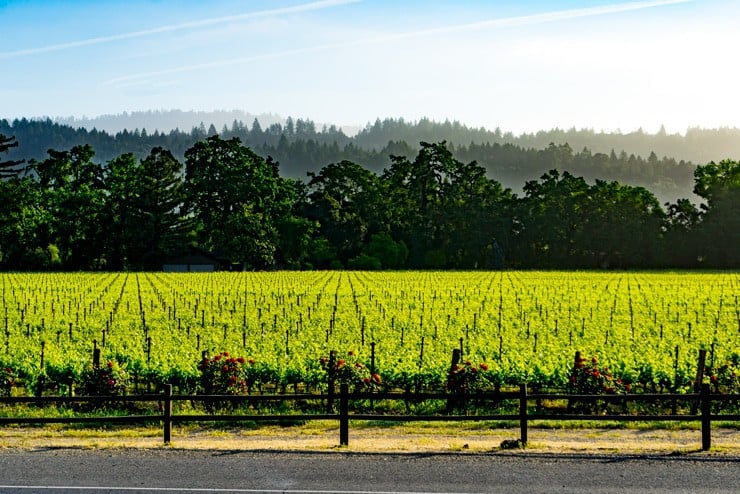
pixel 447 212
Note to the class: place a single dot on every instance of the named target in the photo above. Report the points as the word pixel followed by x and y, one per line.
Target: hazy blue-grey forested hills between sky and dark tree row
pixel 663 163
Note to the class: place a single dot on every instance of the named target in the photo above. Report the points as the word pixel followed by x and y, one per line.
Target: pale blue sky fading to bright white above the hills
pixel 521 66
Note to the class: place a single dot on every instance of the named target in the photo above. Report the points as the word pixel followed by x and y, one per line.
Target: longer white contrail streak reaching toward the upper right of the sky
pixel 500 23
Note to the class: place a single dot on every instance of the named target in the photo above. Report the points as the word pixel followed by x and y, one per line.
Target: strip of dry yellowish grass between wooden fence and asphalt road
pixel 392 439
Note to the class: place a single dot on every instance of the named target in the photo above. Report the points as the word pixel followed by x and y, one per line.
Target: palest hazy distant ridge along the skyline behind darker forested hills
pixel 697 145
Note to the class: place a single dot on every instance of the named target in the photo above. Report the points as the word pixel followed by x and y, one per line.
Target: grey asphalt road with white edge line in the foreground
pixel 169 470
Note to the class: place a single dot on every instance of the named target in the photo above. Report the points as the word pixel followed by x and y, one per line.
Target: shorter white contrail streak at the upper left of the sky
pixel 296 9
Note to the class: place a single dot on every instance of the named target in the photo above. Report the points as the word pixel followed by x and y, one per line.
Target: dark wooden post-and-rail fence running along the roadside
pixel 703 402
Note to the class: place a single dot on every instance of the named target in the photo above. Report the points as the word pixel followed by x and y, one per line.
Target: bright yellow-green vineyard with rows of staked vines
pixel 645 329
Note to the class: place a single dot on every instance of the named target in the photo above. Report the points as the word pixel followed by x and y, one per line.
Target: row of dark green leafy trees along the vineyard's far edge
pixel 428 211
